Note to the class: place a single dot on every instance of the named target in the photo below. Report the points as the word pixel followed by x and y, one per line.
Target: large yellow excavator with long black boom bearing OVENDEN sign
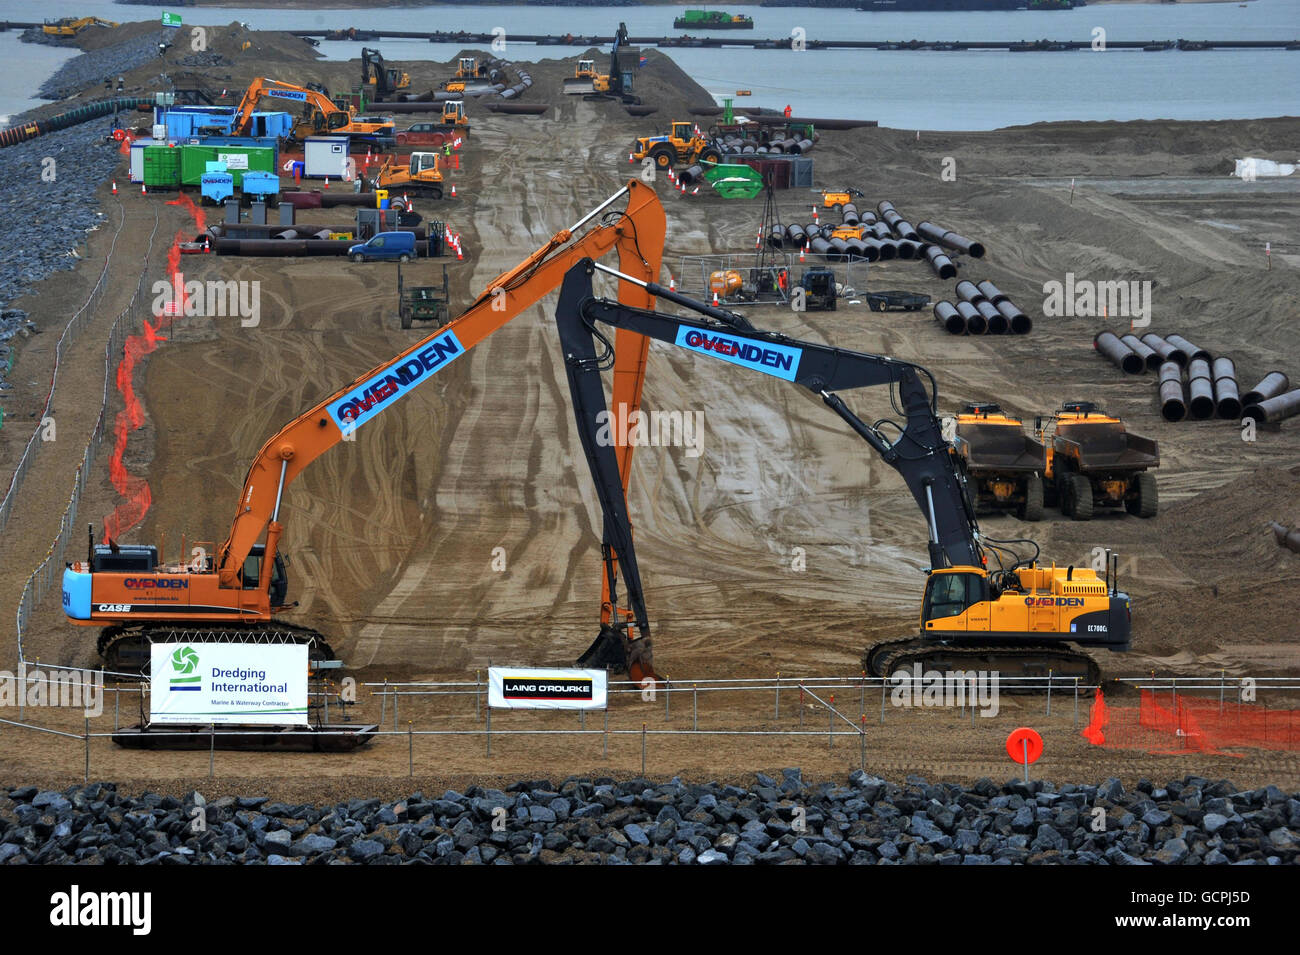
pixel 1019 618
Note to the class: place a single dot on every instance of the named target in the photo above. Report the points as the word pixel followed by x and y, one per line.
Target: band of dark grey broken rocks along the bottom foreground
pixel 866 822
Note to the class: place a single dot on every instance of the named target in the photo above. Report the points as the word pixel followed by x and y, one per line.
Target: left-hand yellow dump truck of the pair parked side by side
pixel 1004 467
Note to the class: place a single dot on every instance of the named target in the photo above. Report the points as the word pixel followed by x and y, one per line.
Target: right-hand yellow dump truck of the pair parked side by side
pixel 1095 463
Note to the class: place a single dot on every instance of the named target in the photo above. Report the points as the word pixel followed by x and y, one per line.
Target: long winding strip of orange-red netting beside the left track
pixel 137 497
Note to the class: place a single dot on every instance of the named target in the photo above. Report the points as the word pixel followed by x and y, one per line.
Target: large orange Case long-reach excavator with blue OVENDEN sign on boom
pixel 239 594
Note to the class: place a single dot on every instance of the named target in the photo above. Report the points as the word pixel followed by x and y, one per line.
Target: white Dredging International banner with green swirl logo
pixel 228 683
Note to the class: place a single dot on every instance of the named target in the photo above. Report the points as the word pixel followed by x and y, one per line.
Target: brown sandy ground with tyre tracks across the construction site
pixel 392 537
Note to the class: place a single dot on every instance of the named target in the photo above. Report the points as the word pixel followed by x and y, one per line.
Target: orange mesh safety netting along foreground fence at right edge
pixel 1177 723
